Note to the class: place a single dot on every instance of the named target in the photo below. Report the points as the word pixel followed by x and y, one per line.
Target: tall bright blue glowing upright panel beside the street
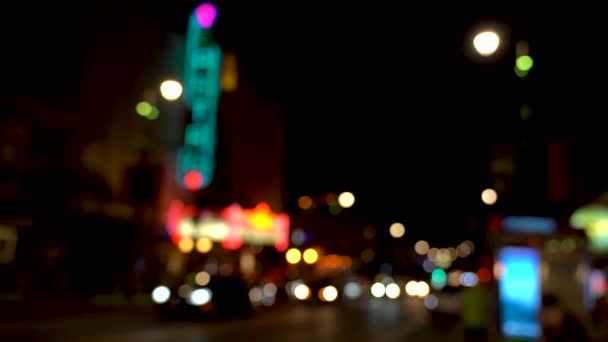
pixel 519 292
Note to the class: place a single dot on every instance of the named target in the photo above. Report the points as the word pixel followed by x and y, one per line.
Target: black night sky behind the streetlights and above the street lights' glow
pixel 382 101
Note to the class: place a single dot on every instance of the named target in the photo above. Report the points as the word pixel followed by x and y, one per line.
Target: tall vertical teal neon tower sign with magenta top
pixel 196 158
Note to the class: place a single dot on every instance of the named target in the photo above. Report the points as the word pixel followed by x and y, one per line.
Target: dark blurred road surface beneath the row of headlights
pixel 370 320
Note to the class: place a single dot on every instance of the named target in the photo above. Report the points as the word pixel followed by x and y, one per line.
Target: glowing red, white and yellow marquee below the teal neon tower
pixel 232 226
